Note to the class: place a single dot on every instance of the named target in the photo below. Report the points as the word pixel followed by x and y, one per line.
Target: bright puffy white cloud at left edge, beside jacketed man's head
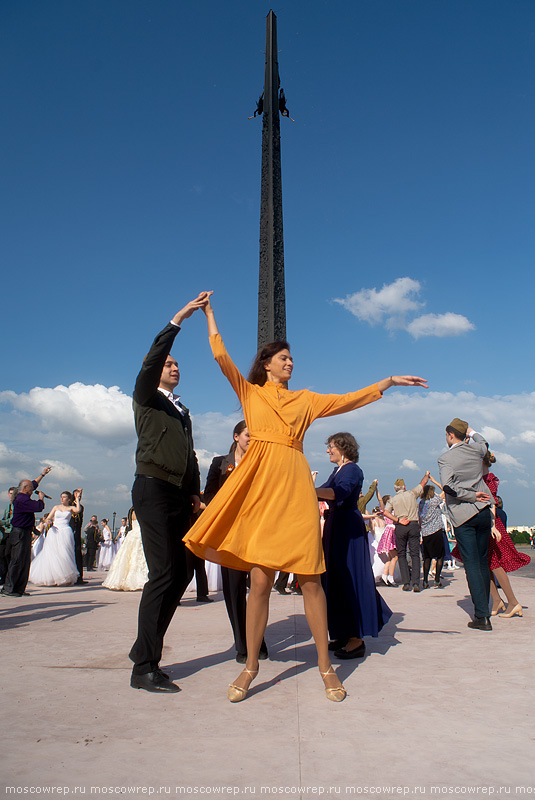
pixel 100 412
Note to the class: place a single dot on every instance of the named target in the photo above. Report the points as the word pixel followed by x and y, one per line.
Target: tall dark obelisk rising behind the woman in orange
pixel 271 291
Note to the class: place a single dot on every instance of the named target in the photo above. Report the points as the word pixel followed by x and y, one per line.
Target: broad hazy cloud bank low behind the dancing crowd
pixel 405 427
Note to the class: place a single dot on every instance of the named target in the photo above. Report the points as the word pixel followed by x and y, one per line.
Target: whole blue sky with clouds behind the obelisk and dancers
pixel 131 180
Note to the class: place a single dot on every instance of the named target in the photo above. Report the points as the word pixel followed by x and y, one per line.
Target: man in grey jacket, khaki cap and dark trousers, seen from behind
pixel 468 501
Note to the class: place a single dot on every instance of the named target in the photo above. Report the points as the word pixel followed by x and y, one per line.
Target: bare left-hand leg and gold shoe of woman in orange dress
pixel 255 621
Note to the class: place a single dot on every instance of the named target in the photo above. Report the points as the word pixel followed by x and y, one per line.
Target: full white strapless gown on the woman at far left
pixel 55 564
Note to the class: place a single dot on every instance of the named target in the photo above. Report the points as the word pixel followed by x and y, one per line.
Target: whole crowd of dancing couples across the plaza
pixel 339 553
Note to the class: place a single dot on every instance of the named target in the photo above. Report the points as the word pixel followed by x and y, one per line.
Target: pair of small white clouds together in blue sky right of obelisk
pixel 395 303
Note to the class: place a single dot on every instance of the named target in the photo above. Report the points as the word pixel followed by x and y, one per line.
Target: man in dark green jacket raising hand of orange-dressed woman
pixel 165 494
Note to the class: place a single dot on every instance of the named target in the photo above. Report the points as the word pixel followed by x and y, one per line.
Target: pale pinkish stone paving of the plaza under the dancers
pixel 433 704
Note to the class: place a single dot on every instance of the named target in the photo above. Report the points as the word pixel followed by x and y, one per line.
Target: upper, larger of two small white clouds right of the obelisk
pixel 392 301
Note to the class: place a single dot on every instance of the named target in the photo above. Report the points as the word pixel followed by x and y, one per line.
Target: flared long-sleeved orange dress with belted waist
pixel 266 512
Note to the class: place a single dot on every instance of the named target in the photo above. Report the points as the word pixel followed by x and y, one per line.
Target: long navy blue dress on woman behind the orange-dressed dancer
pixel 354 606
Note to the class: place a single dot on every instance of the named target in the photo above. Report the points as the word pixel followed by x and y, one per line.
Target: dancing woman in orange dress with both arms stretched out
pixel 274 482
